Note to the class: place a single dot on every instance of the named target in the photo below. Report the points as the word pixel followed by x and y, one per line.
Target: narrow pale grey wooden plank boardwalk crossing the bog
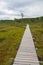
pixel 26 54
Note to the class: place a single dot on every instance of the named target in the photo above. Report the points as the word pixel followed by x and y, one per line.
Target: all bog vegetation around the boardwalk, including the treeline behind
pixel 11 32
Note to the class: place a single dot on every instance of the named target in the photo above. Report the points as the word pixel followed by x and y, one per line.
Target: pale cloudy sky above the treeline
pixel 11 9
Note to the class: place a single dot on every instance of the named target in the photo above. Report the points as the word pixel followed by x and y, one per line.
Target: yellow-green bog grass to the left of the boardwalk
pixel 10 38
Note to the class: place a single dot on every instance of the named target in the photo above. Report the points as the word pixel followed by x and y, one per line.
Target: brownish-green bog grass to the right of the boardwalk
pixel 37 32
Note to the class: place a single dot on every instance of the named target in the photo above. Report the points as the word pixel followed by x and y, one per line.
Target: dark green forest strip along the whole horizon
pixel 23 21
